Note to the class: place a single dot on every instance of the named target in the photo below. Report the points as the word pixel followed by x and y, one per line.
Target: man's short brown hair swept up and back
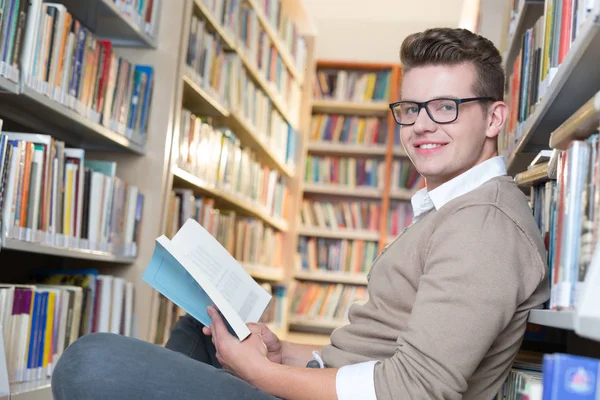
pixel 449 46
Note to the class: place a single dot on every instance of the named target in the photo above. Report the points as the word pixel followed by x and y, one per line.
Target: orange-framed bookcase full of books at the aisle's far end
pixel 345 214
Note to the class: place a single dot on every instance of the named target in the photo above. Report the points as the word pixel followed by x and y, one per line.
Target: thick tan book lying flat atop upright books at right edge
pixel 578 126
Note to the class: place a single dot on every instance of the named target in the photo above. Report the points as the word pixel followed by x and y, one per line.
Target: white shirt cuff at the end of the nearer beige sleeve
pixel 356 381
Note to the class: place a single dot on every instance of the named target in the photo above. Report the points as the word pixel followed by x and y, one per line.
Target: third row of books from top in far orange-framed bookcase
pixel 345 171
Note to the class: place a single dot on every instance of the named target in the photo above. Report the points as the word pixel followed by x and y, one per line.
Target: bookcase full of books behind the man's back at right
pixel 551 146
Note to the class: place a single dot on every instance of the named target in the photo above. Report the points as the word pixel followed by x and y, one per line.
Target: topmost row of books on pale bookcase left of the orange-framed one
pixel 286 29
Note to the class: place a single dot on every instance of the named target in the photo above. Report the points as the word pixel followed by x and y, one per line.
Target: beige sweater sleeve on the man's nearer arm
pixel 478 267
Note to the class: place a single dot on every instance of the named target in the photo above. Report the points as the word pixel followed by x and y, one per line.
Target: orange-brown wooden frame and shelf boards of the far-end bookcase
pixel 385 151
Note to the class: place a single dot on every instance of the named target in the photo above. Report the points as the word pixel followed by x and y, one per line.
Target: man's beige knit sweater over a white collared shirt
pixel 449 299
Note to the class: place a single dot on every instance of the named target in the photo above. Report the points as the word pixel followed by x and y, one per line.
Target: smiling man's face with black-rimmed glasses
pixel 457 146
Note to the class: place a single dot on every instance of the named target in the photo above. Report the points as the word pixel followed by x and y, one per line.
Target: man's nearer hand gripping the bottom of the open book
pixel 245 359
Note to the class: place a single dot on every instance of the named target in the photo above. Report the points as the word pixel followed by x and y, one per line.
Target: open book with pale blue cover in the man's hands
pixel 194 271
